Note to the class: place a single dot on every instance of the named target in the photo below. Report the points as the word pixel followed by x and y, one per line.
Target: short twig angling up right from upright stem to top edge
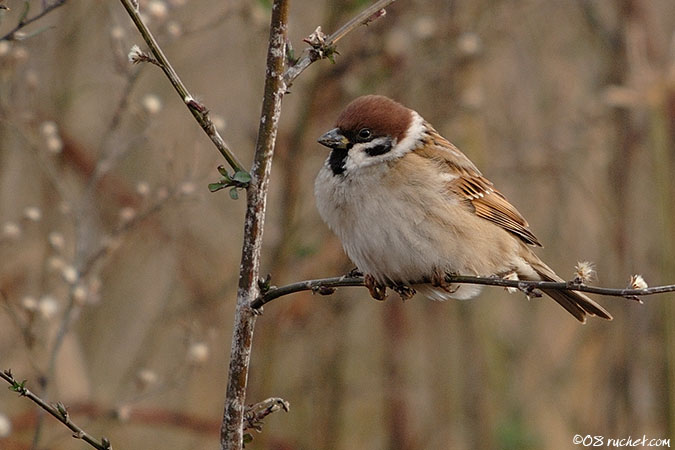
pixel 311 54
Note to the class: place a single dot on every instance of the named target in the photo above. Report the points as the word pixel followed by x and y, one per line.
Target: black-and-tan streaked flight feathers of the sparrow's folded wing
pixel 490 204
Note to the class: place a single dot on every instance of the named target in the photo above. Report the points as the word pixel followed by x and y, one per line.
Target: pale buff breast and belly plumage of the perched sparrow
pixel 404 235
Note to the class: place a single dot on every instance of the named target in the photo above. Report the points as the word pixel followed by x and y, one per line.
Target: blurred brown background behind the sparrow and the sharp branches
pixel 118 268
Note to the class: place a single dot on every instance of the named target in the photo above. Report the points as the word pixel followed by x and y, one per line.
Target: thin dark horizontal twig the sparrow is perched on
pixel 326 286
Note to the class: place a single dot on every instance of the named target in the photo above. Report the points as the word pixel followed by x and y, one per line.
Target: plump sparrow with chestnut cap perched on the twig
pixel 410 208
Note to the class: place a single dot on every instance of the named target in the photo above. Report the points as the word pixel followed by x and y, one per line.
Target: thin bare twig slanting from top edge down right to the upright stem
pixel 198 110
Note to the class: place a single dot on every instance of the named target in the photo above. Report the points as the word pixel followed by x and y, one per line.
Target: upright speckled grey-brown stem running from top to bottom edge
pixel 231 433
